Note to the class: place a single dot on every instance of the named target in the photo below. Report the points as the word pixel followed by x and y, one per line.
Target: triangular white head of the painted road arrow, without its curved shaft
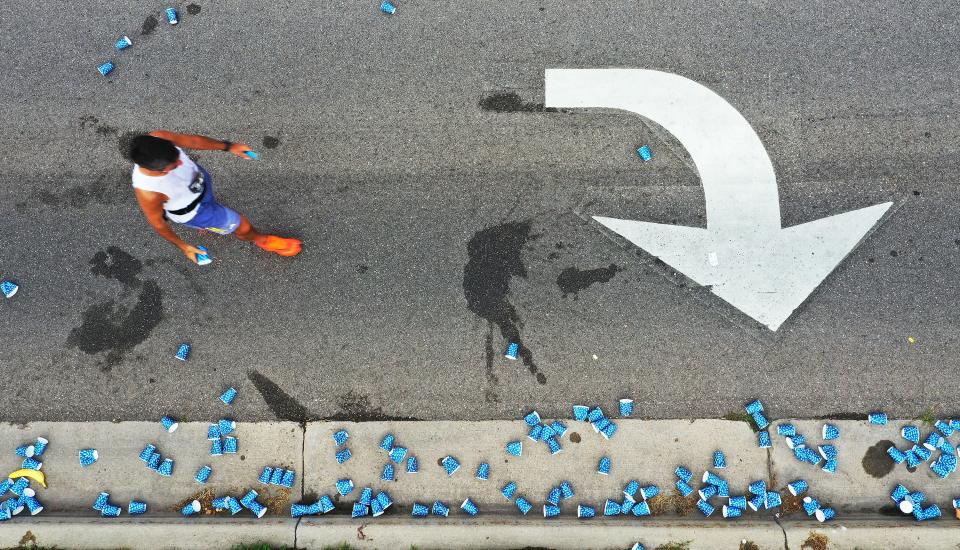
pixel 765 274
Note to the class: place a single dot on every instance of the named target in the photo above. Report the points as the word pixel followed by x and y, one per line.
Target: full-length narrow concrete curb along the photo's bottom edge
pixel 494 532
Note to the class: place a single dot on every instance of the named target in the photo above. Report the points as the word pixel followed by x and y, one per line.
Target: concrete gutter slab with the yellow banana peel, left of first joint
pixel 120 472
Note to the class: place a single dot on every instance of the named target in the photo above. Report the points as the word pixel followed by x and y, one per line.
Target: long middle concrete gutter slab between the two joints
pixel 645 450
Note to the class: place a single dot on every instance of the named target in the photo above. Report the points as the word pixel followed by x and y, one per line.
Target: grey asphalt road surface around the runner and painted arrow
pixel 445 212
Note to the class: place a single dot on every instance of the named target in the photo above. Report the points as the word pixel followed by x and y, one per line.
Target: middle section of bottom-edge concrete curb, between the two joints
pixel 565 534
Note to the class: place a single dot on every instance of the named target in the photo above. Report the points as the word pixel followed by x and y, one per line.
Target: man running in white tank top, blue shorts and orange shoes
pixel 169 185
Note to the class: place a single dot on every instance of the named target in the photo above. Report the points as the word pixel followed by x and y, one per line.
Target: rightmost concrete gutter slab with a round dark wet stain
pixel 865 473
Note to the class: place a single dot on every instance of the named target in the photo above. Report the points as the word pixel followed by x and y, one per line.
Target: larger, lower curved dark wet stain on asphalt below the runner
pixel 109 327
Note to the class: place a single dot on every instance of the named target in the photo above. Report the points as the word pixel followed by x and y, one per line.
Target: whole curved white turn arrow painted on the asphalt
pixel 744 254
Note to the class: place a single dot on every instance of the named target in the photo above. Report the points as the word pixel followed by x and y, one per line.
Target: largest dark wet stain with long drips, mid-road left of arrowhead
pixel 496 256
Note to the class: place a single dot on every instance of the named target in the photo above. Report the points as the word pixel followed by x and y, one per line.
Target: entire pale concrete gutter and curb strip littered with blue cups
pixel 644 450
